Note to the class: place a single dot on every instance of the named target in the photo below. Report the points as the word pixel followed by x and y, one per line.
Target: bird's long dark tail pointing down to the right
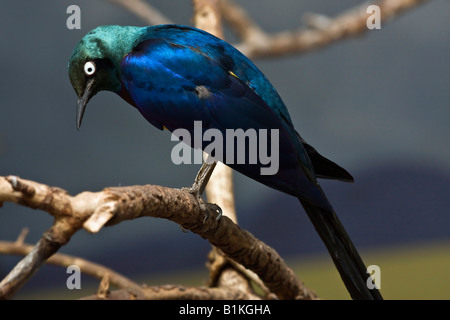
pixel 344 254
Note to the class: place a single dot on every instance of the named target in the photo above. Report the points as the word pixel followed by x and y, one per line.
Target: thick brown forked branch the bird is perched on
pixel 93 210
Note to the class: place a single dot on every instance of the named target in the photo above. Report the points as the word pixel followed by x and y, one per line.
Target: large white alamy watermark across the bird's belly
pixel 235 146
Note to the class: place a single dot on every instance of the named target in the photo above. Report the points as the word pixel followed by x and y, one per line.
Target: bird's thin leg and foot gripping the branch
pixel 198 187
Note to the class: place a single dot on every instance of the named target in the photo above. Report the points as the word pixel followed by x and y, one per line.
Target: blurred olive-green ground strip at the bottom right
pixel 409 272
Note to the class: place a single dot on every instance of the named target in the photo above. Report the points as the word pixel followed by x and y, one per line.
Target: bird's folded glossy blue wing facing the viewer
pixel 174 85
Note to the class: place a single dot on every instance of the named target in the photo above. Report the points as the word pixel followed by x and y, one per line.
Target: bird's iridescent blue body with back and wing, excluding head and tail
pixel 179 75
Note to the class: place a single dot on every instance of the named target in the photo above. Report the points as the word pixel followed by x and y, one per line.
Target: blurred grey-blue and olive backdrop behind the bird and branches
pixel 378 105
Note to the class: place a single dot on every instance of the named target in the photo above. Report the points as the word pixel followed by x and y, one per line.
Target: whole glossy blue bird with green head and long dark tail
pixel 176 75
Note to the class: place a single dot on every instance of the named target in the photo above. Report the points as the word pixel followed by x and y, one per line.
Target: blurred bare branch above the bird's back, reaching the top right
pixel 258 44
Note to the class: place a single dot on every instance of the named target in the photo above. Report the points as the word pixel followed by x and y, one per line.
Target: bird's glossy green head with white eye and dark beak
pixel 95 62
